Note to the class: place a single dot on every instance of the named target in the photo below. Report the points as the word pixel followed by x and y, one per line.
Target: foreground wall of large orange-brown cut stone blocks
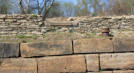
pixel 93 55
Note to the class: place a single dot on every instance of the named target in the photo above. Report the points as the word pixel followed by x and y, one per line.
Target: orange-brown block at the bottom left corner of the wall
pixel 18 66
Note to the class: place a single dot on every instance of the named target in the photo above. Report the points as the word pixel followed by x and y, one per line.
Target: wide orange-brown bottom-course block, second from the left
pixel 62 64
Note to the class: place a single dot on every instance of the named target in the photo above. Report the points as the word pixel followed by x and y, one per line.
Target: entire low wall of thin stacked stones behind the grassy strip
pixel 33 24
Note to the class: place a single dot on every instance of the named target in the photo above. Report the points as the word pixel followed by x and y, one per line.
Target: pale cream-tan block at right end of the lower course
pixel 117 61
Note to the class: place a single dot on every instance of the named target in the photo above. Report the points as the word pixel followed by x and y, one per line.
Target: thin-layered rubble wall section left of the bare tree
pixel 20 24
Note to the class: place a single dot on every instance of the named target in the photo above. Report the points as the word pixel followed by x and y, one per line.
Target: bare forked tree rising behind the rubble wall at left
pixel 42 6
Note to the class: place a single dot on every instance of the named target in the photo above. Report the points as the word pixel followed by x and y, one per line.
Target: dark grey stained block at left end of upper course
pixel 9 49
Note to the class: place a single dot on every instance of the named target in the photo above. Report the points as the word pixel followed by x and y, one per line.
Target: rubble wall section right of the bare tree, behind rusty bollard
pixel 91 24
